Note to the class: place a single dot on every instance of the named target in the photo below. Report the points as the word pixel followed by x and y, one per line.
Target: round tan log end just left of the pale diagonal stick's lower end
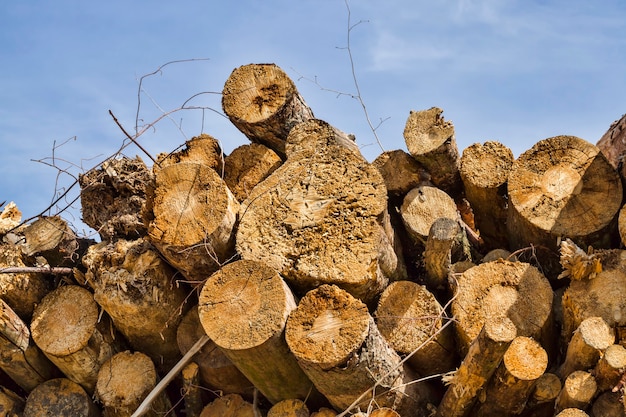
pixel 123 383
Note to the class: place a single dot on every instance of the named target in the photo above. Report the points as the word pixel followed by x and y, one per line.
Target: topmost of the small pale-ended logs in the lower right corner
pixel 592 337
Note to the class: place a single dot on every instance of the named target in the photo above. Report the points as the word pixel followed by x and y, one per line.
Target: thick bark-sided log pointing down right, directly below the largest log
pixel 339 347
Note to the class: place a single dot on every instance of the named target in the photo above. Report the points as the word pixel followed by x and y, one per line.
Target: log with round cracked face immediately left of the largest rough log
pixel 191 214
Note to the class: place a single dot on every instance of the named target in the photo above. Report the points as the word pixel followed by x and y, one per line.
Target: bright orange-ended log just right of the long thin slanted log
pixel 510 387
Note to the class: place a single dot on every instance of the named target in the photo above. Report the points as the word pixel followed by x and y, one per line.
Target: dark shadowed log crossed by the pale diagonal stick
pixel 217 372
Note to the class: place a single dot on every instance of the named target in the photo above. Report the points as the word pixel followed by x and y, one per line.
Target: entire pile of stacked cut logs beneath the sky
pixel 292 277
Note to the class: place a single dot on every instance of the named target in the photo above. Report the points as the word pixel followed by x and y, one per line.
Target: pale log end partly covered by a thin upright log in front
pixel 422 206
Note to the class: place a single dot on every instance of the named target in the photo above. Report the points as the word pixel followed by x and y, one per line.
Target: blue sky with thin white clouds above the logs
pixel 513 71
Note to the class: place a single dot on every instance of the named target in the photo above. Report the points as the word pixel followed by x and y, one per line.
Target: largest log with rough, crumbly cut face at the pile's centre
pixel 314 226
